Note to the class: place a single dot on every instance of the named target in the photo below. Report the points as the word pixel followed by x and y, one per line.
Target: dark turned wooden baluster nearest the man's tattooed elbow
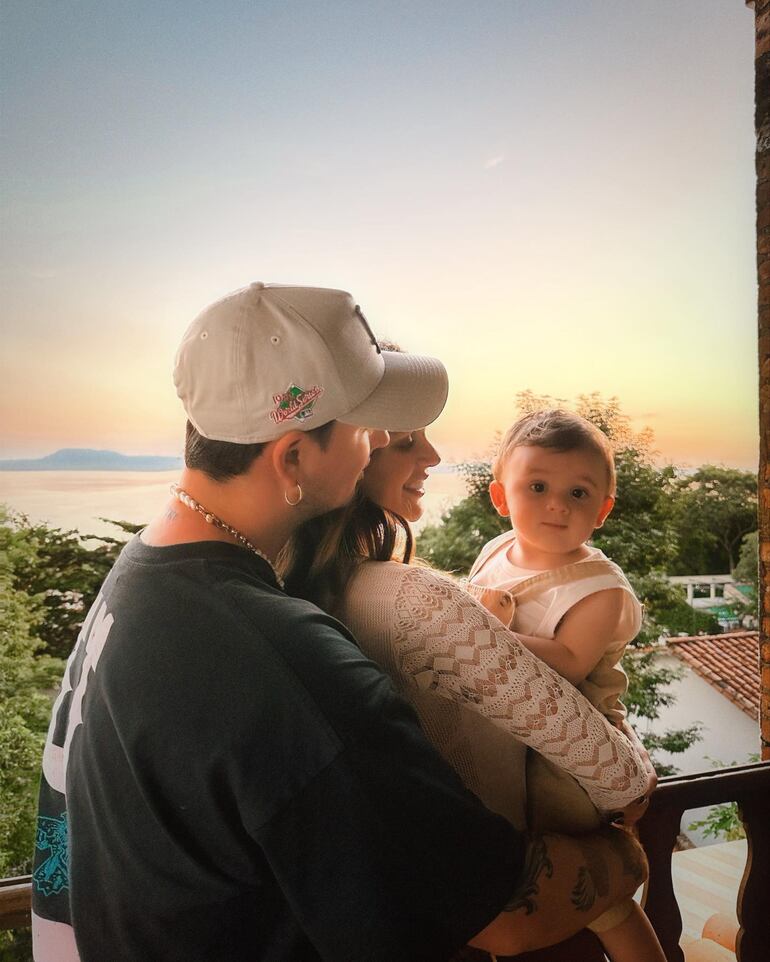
pixel 658 831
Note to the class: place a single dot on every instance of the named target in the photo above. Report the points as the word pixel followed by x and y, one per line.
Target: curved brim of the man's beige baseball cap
pixel 411 395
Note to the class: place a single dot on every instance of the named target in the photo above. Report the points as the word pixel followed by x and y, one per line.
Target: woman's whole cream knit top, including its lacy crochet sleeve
pixel 481 695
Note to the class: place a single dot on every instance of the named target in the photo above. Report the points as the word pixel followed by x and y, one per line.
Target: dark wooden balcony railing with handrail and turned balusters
pixel 748 785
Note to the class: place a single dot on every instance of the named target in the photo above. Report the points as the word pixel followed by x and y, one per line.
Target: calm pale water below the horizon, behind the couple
pixel 78 499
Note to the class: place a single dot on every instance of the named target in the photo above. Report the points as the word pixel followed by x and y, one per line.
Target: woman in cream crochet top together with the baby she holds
pixel 481 695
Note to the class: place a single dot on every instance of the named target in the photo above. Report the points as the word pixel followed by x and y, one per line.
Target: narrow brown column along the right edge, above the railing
pixel 762 124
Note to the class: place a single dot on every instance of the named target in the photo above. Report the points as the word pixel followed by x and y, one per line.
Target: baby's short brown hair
pixel 560 430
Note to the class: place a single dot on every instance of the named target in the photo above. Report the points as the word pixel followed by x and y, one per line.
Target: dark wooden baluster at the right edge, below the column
pixel 754 891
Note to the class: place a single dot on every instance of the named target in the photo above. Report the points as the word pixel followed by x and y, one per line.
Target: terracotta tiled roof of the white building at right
pixel 729 662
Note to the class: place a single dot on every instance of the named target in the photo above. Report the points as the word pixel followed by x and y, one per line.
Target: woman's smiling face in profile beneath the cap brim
pixel 397 473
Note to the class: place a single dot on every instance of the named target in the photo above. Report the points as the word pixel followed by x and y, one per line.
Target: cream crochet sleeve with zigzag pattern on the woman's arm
pixel 447 643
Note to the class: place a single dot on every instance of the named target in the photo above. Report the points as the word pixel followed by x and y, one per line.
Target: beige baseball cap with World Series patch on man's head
pixel 269 358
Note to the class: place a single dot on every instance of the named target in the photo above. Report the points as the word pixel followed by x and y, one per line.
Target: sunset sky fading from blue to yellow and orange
pixel 556 196
